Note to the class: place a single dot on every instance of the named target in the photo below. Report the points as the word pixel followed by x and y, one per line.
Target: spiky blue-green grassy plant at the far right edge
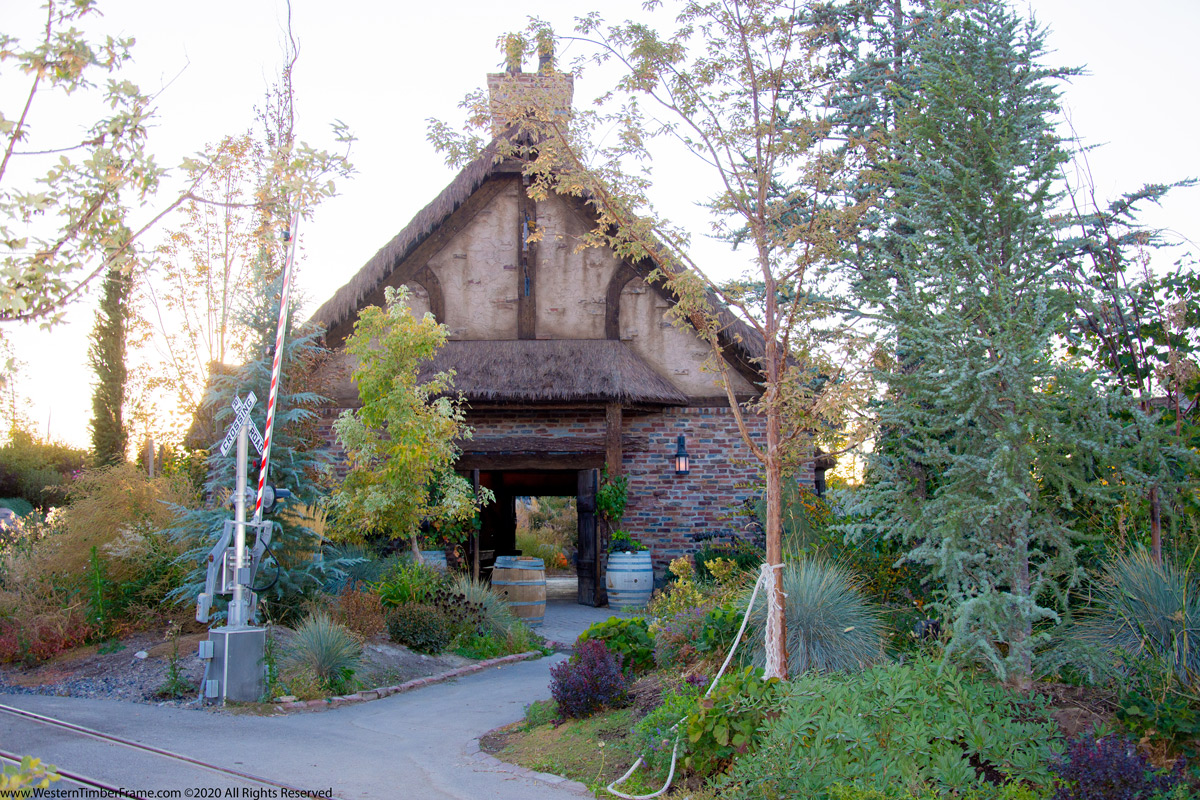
pixel 1148 610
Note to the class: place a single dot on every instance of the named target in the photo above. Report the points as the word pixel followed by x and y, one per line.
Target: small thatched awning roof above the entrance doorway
pixel 554 371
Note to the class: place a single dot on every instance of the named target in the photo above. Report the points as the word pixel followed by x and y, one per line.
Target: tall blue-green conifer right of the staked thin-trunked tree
pixel 992 437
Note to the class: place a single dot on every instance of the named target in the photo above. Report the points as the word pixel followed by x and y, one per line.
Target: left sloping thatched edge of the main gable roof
pixel 345 304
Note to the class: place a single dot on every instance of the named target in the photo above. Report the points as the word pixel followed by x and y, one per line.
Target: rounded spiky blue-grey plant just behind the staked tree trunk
pixel 831 625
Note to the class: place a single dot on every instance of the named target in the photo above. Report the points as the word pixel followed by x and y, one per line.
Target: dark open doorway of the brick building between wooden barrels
pixel 500 522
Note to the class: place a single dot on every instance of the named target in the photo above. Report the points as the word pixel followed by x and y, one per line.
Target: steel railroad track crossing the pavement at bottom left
pixel 197 793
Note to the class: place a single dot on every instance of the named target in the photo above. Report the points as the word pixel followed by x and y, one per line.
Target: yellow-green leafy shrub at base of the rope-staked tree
pixel 728 723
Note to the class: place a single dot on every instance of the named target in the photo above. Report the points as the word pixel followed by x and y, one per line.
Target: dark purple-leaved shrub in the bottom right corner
pixel 1109 769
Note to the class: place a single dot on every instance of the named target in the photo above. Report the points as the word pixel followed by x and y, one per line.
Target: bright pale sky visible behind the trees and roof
pixel 386 68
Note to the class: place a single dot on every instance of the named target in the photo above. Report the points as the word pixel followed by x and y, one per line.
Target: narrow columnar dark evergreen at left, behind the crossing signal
pixel 110 438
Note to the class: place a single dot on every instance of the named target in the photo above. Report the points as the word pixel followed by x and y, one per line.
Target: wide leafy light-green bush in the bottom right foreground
pixel 921 727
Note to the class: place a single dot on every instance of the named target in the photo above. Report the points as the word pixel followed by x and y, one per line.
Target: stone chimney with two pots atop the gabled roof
pixel 515 95
